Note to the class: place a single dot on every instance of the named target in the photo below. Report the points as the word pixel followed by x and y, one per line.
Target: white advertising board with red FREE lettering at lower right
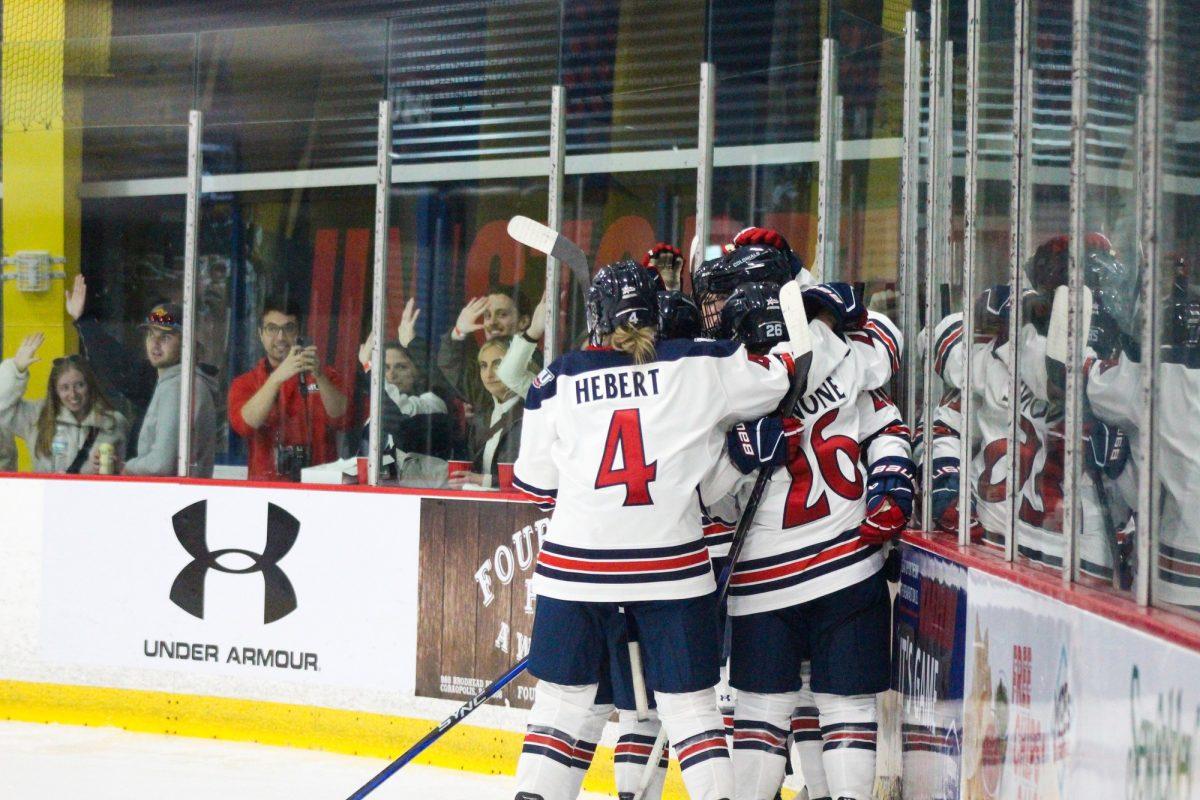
pixel 1090 708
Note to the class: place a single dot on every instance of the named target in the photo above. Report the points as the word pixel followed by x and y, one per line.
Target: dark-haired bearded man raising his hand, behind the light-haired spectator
pixel 499 315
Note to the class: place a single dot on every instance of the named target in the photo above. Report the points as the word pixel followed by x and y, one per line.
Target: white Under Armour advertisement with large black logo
pixel 266 585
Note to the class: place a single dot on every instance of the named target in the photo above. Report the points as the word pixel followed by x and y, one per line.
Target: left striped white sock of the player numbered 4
pixel 557 751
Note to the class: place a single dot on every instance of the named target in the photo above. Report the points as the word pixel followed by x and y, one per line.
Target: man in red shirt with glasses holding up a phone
pixel 289 407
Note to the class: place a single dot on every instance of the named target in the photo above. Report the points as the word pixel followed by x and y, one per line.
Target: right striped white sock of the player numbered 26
pixel 849 729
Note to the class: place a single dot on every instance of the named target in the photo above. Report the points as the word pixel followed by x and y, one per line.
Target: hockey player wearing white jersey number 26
pixel 800 593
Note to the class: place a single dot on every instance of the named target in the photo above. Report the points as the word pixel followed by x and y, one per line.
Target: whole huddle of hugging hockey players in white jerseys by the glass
pixel 647 446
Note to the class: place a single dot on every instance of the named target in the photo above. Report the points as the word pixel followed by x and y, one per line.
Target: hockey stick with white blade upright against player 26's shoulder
pixel 793 305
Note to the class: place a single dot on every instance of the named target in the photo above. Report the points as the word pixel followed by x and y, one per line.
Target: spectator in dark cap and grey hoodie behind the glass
pixel 159 438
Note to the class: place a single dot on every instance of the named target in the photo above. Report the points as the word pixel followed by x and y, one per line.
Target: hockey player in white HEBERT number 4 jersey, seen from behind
pixel 609 435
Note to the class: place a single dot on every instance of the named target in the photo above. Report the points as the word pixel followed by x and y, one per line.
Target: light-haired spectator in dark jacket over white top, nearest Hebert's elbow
pixel 496 429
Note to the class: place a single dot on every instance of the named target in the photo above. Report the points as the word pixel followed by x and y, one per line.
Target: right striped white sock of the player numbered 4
pixel 697 731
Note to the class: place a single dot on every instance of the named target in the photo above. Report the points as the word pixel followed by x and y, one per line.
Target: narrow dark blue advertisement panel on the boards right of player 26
pixel 931 634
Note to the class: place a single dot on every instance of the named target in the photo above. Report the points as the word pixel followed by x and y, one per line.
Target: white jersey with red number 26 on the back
pixel 803 543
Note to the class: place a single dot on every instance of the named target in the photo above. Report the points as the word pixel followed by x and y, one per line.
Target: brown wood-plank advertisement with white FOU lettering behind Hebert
pixel 476 604
